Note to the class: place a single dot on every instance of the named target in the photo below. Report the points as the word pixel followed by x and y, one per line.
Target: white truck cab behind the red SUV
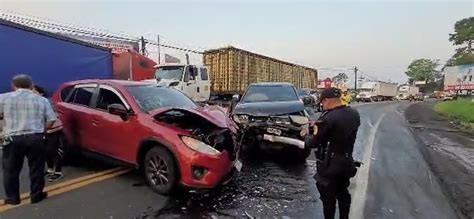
pixel 192 80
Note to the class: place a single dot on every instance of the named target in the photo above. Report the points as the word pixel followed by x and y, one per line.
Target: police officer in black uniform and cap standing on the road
pixel 333 137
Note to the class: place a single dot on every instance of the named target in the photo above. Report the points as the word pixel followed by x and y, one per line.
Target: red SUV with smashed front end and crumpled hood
pixel 157 129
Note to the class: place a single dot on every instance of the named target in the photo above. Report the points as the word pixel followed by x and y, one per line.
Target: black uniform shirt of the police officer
pixel 338 128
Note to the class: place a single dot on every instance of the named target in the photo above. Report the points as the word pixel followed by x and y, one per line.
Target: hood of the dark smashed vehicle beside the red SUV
pixel 269 108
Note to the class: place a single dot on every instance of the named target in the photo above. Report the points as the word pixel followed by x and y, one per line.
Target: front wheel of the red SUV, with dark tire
pixel 161 172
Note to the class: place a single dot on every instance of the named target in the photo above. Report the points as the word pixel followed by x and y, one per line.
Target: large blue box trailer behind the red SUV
pixel 50 59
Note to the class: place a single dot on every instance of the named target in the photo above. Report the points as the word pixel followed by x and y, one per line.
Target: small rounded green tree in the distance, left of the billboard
pixel 423 70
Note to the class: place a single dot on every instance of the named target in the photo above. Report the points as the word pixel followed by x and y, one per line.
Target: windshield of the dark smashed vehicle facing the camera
pixel 270 94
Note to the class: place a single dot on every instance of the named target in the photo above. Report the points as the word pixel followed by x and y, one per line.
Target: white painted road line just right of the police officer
pixel 361 181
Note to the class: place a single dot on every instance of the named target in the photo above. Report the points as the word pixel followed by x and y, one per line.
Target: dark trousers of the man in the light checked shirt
pixel 31 146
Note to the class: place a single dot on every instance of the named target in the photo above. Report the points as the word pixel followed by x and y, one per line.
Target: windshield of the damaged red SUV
pixel 151 97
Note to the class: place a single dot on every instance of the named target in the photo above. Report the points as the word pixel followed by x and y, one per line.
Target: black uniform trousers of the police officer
pixel 335 189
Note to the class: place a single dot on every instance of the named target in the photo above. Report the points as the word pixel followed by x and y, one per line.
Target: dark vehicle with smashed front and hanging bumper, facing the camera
pixel 271 117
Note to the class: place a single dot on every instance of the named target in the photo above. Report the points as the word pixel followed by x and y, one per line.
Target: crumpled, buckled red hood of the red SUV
pixel 214 114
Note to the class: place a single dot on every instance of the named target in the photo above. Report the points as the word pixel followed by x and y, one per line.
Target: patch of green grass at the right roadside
pixel 461 110
